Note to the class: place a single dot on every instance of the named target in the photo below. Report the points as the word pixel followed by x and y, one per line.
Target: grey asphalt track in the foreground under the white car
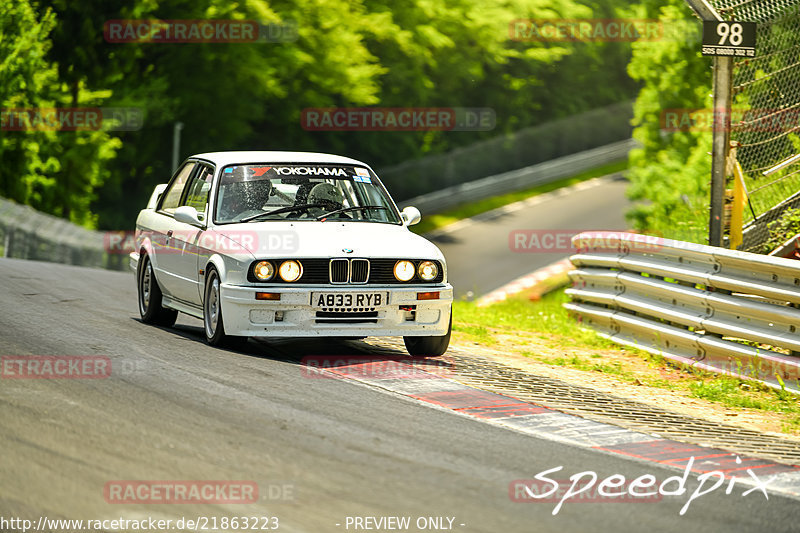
pixel 320 450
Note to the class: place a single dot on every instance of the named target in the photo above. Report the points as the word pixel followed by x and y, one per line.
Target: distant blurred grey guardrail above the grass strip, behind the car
pixel 520 179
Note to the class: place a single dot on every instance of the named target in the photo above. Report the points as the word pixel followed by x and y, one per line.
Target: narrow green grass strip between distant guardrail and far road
pixel 433 222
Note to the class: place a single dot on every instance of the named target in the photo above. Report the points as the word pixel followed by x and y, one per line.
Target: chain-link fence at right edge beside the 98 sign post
pixel 765 115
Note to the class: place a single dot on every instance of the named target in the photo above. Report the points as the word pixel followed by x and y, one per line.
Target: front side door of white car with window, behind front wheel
pixel 186 237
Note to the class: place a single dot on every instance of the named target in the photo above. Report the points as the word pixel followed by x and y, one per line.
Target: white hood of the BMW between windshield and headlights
pixel 329 239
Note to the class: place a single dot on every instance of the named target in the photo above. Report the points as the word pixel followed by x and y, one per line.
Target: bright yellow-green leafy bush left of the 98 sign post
pixel 670 173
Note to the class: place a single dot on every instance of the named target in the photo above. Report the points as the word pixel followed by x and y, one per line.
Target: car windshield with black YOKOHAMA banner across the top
pixel 261 192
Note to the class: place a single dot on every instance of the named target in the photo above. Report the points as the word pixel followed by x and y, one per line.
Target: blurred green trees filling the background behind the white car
pixel 412 53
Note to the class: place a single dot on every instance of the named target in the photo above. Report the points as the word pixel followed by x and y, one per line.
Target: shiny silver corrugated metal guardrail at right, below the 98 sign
pixel 720 310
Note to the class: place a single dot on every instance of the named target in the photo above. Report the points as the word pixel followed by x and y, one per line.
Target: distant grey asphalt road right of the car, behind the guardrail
pixel 480 257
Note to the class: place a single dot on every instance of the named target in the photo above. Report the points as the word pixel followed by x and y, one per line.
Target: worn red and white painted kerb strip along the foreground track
pixel 406 379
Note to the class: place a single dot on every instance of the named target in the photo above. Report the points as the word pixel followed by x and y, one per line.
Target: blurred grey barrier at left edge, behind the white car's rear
pixel 29 234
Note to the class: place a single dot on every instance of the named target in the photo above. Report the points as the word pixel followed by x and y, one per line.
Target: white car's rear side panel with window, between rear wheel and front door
pixel 166 255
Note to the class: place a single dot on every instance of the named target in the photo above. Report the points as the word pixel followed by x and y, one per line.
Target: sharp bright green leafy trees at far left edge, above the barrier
pixel 54 171
